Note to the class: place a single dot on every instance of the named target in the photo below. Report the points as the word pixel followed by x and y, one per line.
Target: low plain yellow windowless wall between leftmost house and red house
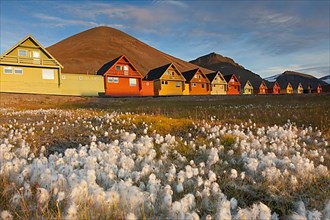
pixel 81 84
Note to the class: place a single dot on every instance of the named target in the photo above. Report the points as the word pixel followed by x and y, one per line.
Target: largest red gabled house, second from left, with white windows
pixel 121 78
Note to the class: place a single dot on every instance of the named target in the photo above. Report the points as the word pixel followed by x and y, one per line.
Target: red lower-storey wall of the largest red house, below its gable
pixel 122 87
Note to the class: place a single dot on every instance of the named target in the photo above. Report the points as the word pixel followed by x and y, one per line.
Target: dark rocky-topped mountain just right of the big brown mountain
pixel 227 66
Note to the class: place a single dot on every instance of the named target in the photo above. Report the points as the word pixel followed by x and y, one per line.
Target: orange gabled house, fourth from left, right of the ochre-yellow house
pixel 196 82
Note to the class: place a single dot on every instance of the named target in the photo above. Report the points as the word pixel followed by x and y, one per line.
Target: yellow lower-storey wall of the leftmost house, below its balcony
pixel 31 80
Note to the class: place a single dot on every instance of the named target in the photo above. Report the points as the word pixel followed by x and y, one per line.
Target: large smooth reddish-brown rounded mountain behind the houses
pixel 87 51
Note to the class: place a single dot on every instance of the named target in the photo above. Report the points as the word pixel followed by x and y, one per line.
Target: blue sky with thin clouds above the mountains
pixel 266 37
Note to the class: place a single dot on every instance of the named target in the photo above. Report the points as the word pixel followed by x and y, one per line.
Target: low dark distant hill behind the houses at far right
pixel 295 78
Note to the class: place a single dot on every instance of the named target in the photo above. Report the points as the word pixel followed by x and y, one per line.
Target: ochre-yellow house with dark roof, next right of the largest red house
pixel 167 80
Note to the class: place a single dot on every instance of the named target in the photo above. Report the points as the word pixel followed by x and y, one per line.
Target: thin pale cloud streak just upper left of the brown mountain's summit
pixel 61 22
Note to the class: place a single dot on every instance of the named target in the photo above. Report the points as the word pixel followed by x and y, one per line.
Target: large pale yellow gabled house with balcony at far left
pixel 28 67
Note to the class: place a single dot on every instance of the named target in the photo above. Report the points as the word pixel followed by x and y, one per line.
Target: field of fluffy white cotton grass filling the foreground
pixel 86 164
